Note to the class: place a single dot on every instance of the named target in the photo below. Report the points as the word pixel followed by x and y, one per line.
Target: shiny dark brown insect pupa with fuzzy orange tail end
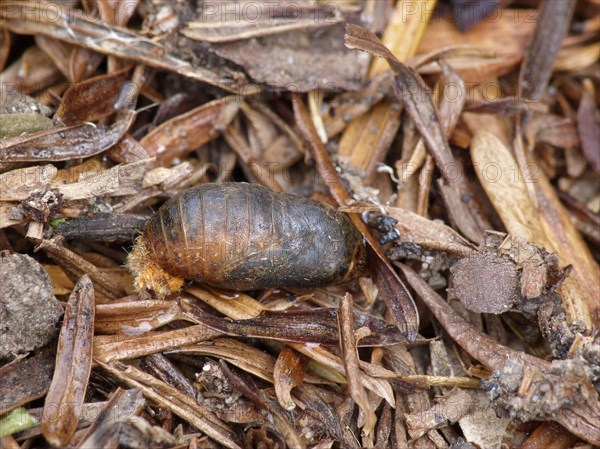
pixel 240 236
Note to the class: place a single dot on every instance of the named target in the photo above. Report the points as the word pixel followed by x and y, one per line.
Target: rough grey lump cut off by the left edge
pixel 28 309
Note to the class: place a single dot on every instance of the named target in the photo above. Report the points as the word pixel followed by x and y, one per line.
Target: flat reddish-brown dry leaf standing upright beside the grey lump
pixel 73 366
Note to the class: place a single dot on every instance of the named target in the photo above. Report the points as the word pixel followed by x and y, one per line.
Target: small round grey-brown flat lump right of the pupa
pixel 485 282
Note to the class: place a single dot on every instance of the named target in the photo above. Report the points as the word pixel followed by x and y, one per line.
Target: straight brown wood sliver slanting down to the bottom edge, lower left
pixel 172 399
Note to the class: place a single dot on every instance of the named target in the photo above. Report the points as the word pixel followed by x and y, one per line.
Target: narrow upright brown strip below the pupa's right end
pixel 352 366
